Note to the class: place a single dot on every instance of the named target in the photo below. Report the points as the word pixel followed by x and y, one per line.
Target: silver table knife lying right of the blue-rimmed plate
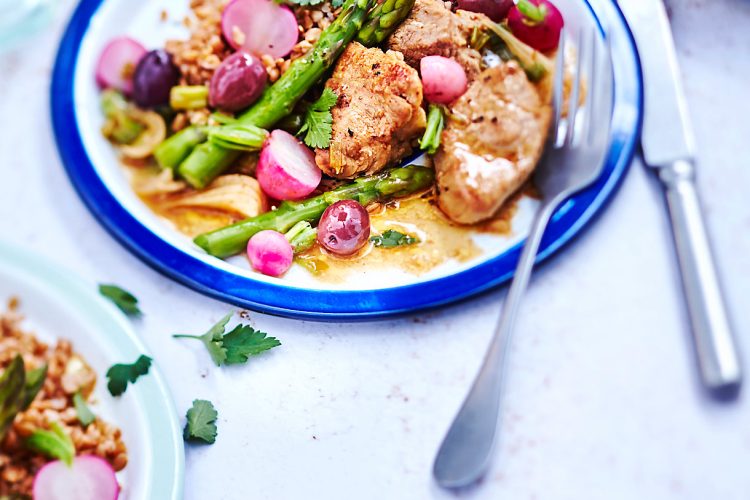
pixel 668 147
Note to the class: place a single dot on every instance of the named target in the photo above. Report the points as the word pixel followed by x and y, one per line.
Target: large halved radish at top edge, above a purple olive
pixel 260 27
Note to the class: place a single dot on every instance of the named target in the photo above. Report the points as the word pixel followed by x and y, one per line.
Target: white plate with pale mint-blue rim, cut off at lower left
pixel 56 306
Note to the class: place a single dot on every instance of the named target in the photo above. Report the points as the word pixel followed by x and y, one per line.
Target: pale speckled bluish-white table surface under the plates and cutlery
pixel 602 400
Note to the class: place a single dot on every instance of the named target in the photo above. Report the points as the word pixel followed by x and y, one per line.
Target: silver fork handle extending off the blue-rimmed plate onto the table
pixel 467 448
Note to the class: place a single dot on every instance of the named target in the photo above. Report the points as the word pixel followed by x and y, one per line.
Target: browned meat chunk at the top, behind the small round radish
pixel 433 30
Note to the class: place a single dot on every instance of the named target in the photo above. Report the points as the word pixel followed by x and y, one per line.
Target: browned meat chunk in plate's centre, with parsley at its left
pixel 378 113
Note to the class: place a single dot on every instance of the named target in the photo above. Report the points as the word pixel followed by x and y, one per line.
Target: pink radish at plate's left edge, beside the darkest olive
pixel 117 64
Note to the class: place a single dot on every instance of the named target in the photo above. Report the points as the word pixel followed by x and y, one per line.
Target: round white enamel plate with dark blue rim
pixel 95 172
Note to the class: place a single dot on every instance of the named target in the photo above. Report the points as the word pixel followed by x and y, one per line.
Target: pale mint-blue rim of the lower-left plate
pixel 164 433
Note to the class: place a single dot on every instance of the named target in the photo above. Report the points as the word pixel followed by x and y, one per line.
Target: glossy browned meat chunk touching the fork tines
pixel 491 143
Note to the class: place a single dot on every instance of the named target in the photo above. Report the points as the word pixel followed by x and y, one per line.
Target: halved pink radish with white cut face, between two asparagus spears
pixel 286 168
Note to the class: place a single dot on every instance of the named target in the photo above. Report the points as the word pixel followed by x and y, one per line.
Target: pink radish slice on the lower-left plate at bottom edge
pixel 88 478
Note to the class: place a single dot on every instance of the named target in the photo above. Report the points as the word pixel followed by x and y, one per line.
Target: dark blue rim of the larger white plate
pixel 301 303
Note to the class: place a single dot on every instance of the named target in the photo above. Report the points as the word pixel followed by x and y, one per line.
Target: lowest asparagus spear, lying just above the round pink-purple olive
pixel 394 183
